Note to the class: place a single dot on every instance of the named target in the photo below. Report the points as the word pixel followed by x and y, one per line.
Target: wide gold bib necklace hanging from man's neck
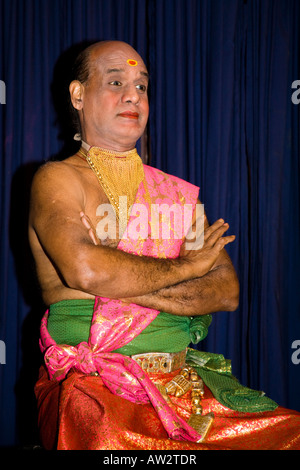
pixel 119 174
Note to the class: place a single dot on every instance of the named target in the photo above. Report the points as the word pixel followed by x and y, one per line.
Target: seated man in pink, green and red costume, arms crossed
pixel 99 397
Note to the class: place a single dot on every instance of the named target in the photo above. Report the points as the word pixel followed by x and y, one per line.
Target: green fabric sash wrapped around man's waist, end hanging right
pixel 69 323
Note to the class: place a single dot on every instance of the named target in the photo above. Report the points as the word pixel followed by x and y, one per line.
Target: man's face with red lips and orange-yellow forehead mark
pixel 115 106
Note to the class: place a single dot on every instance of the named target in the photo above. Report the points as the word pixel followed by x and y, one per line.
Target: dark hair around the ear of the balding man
pixel 80 72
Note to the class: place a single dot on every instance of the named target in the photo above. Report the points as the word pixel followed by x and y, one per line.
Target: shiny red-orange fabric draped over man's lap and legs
pixel 80 413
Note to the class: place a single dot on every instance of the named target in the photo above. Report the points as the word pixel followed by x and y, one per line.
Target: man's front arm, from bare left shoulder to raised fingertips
pixel 58 199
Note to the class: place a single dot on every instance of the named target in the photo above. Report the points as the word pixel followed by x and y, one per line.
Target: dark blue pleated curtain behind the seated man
pixel 221 117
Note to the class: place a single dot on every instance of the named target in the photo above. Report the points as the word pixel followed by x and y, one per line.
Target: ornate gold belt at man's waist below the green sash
pixel 160 362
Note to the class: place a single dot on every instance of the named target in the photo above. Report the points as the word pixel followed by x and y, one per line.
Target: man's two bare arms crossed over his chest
pixel 196 283
